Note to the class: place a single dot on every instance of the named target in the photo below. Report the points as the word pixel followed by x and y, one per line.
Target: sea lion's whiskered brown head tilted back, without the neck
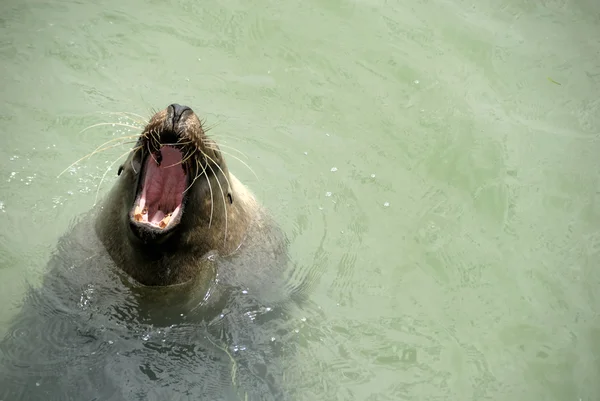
pixel 176 180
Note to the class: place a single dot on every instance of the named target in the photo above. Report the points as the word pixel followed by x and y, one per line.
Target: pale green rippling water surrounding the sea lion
pixel 434 164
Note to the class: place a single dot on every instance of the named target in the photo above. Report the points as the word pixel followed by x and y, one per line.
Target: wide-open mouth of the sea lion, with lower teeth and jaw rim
pixel 159 203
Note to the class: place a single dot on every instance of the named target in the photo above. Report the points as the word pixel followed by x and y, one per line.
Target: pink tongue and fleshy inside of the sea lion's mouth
pixel 163 185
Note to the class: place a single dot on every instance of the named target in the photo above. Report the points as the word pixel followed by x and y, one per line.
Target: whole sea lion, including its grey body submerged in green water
pixel 172 288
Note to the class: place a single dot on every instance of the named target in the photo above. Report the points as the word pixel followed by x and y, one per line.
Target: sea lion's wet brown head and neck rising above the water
pixel 175 201
